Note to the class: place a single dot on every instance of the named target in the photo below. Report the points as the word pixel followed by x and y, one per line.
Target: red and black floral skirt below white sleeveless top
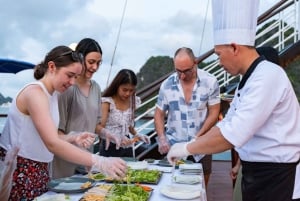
pixel 29 179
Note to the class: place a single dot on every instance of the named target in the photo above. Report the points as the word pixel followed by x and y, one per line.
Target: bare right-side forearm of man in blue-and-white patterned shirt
pixel 211 119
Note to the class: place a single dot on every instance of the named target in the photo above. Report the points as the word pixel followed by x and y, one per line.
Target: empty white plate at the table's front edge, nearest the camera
pixel 180 192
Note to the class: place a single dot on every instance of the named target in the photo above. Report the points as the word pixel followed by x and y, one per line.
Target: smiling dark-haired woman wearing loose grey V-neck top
pixel 80 104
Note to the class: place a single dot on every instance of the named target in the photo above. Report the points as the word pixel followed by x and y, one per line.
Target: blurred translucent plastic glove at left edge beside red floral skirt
pixel 8 167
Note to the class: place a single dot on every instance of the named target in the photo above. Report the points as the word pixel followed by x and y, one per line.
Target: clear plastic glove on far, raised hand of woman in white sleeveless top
pixel 82 139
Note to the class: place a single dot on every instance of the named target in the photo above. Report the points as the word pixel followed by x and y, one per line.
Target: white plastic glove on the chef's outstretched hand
pixel 178 151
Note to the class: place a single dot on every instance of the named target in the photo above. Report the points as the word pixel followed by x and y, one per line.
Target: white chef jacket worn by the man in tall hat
pixel 263 121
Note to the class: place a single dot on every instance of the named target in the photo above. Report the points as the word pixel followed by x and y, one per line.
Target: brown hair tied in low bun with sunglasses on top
pixel 62 56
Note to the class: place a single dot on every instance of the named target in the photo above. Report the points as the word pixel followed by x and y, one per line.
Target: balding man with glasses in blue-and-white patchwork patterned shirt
pixel 190 98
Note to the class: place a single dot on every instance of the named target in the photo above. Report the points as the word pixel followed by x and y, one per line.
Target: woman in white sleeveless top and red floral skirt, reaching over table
pixel 32 124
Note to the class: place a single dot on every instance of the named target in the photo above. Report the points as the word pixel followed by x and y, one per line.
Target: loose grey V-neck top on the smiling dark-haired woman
pixel 77 113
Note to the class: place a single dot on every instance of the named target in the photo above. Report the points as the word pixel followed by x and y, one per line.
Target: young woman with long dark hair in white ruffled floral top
pixel 118 106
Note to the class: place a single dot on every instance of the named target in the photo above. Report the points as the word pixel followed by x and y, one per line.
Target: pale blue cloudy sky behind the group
pixel 31 28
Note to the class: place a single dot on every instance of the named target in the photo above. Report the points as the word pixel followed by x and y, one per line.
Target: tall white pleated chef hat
pixel 234 21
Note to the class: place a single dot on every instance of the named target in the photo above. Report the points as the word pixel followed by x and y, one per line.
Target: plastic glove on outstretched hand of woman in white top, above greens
pixel 110 166
